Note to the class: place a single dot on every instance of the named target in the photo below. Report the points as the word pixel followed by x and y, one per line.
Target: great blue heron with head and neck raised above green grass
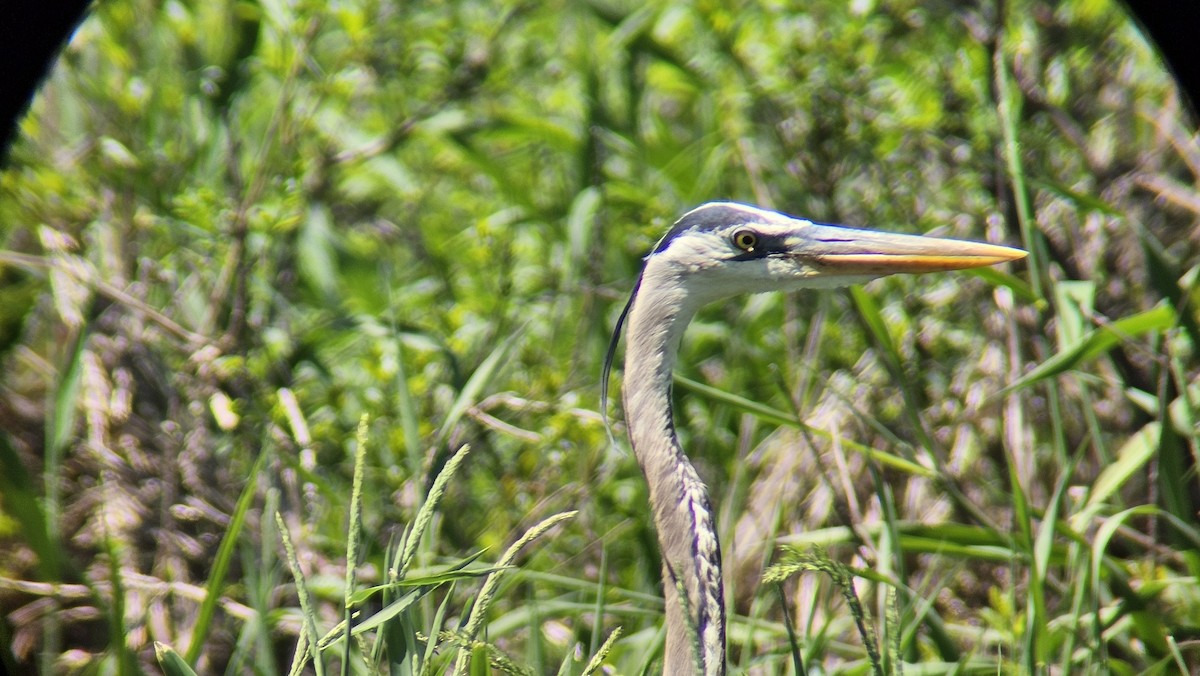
pixel 715 252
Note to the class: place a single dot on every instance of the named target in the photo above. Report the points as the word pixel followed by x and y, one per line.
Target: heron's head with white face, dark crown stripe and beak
pixel 724 249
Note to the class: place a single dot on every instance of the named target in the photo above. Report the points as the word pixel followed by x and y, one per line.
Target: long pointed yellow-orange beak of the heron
pixel 851 252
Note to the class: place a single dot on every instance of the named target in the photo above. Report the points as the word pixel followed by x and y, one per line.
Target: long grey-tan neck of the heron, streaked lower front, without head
pixel 683 515
